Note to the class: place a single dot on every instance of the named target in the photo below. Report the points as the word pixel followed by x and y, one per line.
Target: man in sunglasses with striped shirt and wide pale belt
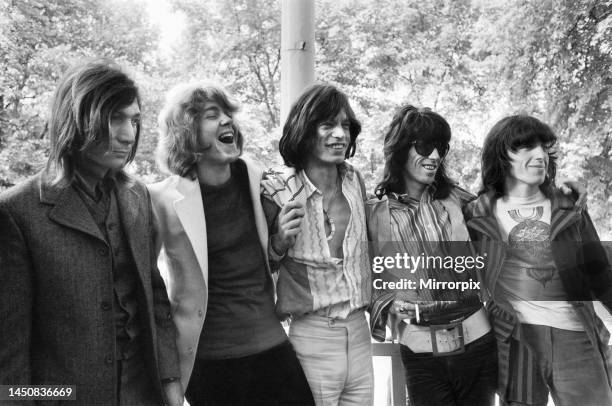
pixel 446 343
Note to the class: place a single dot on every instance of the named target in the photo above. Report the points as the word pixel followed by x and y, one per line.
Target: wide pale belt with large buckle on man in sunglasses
pixel 446 339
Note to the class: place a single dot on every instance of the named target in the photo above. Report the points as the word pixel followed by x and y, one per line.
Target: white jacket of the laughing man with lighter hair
pixel 183 254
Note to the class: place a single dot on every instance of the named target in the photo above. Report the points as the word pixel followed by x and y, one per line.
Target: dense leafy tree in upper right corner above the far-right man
pixel 553 58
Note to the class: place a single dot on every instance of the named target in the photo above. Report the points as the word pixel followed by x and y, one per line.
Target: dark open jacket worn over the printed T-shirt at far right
pixel 582 263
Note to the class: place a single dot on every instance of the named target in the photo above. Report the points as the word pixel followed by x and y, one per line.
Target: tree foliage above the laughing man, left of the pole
pixel 235 43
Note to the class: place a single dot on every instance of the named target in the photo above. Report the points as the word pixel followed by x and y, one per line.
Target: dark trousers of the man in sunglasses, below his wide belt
pixel 468 379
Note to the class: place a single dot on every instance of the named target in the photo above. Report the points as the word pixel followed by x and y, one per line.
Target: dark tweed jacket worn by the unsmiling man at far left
pixel 56 292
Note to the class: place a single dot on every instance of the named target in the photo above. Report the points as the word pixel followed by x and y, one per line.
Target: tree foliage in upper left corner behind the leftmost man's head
pixel 39 39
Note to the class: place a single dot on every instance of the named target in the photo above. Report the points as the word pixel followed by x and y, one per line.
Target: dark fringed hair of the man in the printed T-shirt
pixel 510 134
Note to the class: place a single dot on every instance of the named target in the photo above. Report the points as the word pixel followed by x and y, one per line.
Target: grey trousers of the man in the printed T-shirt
pixel 566 364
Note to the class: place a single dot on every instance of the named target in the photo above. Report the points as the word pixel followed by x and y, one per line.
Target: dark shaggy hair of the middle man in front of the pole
pixel 317 104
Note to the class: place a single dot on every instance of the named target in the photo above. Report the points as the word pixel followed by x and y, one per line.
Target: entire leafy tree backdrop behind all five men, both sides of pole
pixel 473 61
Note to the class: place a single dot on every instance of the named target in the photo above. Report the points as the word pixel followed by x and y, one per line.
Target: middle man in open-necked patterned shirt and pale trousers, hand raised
pixel 320 242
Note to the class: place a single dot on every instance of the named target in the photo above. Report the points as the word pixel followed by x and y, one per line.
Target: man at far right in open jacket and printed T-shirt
pixel 545 264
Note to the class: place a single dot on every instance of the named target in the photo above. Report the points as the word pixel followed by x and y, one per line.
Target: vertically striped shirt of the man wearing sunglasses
pixel 419 228
